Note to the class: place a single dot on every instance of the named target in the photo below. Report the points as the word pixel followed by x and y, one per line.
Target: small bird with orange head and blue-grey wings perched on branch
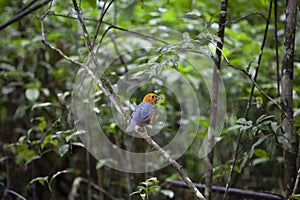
pixel 144 112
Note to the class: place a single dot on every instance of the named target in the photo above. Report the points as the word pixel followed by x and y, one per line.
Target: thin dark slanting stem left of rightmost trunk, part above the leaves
pixel 259 59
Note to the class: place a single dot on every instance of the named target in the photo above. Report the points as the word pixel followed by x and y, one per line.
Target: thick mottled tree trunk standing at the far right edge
pixel 290 157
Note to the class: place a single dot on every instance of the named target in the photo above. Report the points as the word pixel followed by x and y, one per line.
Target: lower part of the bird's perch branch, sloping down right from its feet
pixel 174 163
